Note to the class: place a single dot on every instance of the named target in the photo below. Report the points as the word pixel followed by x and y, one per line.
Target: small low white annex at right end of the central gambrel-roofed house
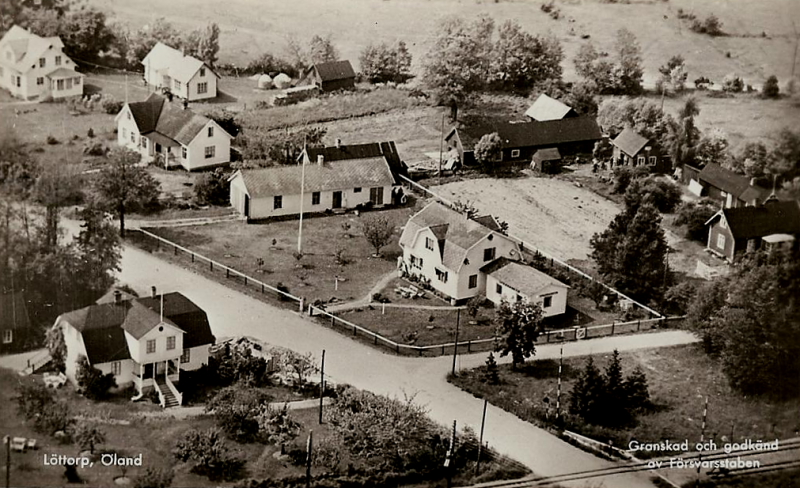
pixel 512 281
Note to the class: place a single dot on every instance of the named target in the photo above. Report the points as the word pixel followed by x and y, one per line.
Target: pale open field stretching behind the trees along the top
pixel 250 27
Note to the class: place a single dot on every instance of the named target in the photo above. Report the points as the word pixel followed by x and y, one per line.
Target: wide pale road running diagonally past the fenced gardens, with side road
pixel 347 361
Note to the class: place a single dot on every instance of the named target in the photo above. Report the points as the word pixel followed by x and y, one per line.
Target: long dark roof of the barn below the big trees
pixel 535 134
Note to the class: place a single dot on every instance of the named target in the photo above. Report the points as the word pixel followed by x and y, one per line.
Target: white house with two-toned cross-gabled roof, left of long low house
pixel 176 136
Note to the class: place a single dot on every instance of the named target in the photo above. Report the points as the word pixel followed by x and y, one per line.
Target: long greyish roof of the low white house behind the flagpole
pixel 340 175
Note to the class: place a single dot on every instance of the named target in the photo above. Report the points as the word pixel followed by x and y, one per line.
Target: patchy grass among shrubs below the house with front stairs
pixel 153 437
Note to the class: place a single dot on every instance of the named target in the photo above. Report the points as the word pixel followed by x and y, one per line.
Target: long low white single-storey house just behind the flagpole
pixel 326 186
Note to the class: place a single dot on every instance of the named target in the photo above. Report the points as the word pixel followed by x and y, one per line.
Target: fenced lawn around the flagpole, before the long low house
pixel 241 246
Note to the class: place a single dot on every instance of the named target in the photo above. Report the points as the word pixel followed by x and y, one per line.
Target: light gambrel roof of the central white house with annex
pixel 456 233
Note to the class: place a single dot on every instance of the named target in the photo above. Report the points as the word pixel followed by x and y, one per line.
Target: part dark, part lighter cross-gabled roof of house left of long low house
pixel 156 114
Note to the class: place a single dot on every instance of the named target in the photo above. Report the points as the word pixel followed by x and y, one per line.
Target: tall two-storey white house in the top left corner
pixel 35 68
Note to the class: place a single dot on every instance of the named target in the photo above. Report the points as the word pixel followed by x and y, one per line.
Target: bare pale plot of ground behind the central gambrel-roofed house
pixel 556 216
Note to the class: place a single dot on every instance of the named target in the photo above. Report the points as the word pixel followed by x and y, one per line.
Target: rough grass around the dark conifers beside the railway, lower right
pixel 679 379
